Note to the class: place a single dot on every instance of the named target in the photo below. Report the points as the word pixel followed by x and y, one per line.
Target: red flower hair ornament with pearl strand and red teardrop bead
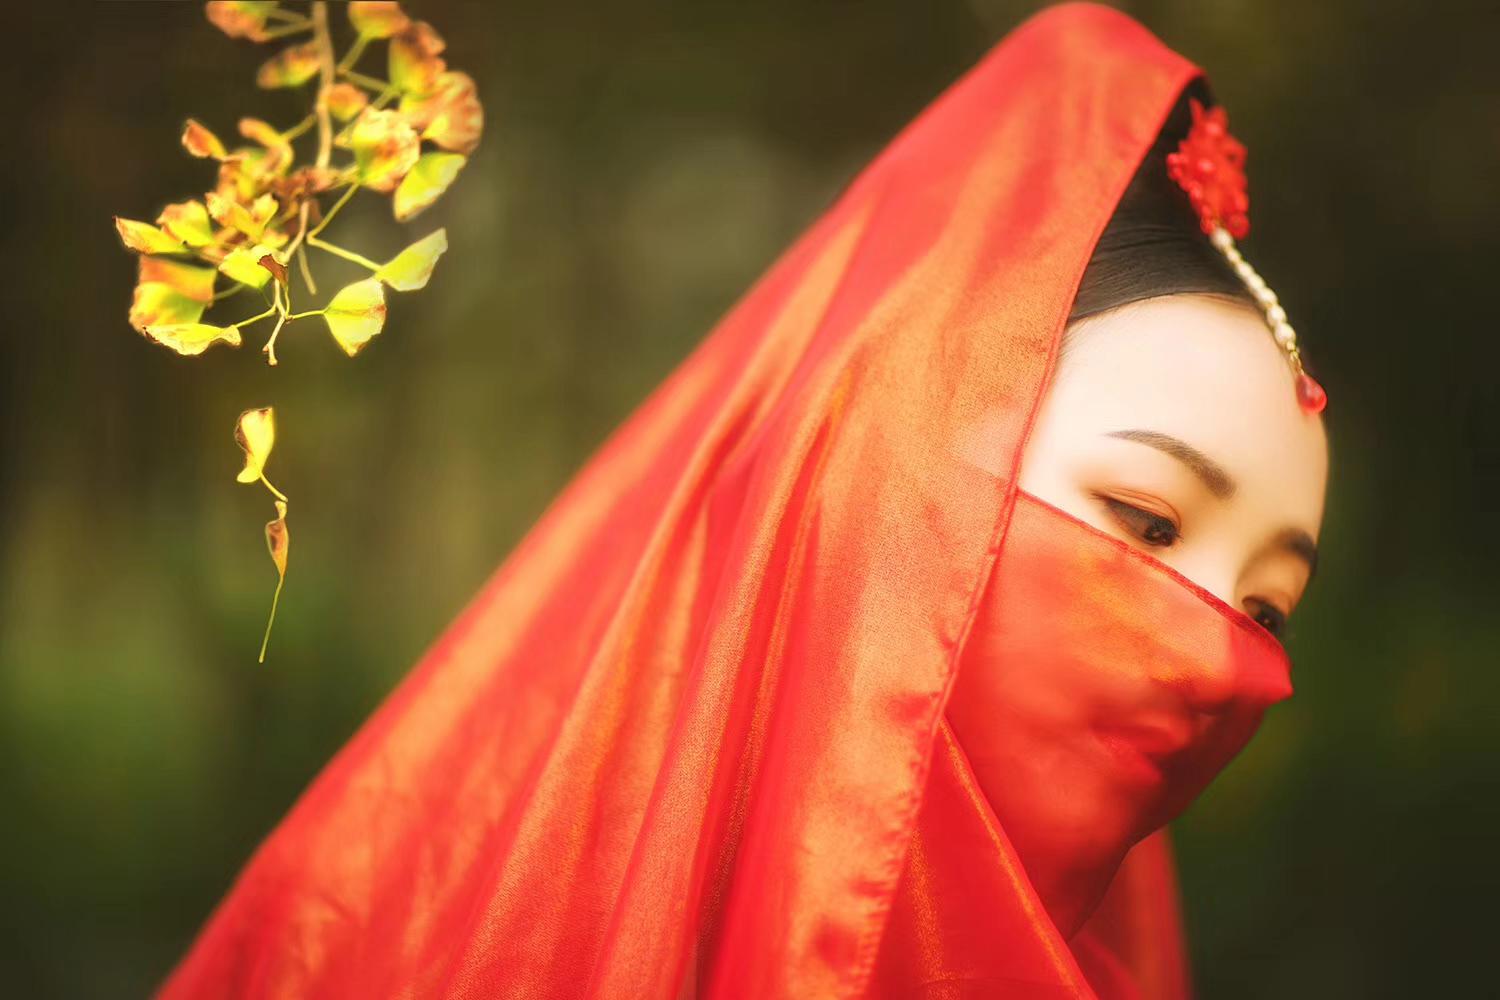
pixel 1210 166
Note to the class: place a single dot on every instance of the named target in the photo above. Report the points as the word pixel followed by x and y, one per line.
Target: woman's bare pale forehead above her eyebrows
pixel 1207 373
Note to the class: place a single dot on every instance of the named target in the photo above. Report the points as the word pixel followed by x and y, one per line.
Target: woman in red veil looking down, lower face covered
pixel 808 686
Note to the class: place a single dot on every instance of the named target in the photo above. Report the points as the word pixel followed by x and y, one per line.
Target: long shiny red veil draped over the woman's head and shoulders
pixel 691 740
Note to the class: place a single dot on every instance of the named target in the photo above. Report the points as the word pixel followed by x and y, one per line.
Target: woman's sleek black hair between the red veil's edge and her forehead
pixel 1153 244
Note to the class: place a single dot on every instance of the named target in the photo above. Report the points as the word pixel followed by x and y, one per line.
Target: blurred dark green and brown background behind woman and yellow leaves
pixel 643 164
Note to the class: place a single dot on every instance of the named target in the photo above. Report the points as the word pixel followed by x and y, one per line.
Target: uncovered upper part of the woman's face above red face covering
pixel 1172 424
